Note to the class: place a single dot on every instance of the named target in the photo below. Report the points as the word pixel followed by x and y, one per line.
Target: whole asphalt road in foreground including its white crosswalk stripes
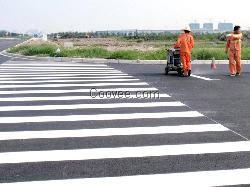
pixel 160 130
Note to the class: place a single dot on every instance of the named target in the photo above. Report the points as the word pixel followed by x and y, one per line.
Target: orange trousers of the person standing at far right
pixel 234 61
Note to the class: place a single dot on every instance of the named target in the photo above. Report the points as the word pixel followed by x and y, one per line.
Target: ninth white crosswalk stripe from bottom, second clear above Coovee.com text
pixel 62 81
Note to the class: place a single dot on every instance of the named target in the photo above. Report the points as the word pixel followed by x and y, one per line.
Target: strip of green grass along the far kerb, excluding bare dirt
pixel 203 51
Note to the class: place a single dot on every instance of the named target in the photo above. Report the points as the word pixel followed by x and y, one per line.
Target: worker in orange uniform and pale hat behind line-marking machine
pixel 186 43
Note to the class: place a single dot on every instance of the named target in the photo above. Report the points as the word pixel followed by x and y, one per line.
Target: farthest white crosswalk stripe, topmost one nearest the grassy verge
pixel 51 64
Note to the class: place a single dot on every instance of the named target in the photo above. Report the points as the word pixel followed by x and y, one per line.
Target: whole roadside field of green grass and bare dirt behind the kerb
pixel 146 47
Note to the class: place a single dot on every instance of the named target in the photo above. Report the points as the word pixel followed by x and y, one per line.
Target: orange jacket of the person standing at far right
pixel 234 42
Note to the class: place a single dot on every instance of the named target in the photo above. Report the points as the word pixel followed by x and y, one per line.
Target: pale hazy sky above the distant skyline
pixel 91 15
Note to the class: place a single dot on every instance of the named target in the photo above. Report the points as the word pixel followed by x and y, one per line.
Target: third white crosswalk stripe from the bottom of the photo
pixel 81 133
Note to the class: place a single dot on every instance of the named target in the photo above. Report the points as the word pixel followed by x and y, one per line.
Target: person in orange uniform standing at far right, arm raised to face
pixel 233 46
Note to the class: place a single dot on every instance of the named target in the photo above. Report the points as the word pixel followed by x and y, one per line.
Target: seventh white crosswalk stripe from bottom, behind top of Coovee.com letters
pixel 40 91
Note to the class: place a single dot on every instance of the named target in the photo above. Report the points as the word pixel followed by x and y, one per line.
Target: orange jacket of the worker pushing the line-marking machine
pixel 185 42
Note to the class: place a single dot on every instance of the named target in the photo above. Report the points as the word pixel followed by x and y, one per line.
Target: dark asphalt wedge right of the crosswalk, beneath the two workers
pixel 226 101
